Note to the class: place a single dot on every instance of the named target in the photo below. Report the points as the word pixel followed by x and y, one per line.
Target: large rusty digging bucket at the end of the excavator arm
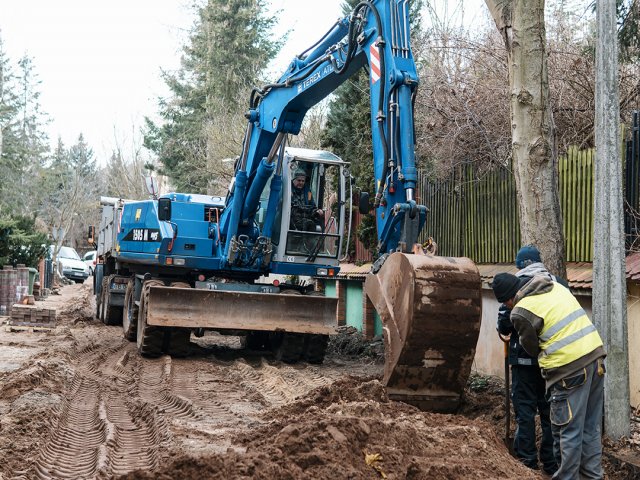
pixel 430 308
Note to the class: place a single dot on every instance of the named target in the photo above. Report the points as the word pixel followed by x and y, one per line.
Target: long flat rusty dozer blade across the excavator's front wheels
pixel 217 309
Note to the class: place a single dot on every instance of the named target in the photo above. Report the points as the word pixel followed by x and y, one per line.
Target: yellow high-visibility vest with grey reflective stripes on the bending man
pixel 567 333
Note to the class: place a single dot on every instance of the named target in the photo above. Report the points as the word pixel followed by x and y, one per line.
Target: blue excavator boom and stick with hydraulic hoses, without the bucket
pixel 376 35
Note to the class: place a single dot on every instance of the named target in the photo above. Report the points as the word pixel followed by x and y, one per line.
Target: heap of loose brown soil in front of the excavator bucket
pixel 351 430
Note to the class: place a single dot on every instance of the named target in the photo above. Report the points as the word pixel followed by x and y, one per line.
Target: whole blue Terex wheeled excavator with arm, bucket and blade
pixel 185 263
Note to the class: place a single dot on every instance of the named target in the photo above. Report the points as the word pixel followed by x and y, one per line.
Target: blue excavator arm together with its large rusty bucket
pixel 430 306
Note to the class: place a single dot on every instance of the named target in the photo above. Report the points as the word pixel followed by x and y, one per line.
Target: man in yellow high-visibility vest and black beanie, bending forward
pixel 553 327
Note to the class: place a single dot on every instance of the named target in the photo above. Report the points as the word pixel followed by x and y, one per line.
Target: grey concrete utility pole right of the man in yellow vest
pixel 609 282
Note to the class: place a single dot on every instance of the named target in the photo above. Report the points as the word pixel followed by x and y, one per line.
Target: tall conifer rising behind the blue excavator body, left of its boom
pixel 229 46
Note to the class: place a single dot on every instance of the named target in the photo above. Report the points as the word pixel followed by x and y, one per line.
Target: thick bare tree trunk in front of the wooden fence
pixel 534 153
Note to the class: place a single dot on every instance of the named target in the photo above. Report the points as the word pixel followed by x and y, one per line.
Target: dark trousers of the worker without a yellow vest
pixel 528 397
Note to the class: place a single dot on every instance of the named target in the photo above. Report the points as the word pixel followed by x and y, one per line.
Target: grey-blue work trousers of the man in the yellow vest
pixel 576 416
